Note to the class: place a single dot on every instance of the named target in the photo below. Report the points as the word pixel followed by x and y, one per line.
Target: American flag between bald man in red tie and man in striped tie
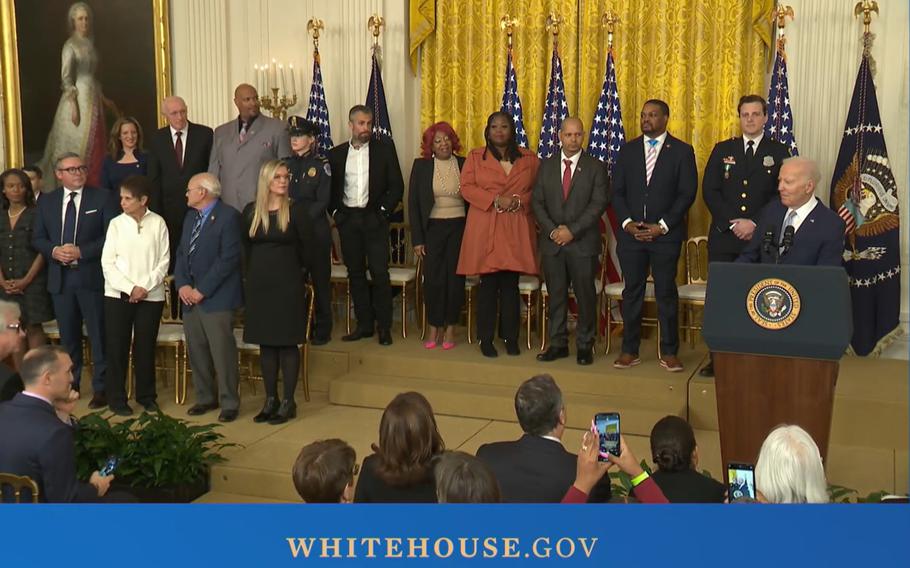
pixel 606 138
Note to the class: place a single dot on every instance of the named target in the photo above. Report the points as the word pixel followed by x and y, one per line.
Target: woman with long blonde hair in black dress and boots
pixel 275 234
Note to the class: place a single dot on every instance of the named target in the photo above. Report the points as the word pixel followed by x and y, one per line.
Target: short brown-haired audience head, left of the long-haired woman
pixel 324 472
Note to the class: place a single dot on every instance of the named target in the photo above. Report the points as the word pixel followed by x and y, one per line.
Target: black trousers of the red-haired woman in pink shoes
pixel 443 289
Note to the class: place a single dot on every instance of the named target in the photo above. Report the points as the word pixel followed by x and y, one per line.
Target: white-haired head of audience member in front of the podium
pixel 789 468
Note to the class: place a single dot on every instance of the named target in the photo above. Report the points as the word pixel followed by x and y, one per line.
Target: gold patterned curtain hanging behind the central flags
pixel 698 55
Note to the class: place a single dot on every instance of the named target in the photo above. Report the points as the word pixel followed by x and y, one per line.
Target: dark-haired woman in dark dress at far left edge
pixel 23 277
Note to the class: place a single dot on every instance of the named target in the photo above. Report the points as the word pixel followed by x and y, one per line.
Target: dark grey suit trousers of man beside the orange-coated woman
pixel 560 270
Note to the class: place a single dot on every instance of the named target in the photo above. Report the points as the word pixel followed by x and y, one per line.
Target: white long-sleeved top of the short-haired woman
pixel 136 254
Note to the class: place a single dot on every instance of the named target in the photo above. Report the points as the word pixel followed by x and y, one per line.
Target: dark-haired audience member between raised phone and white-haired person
pixel 675 454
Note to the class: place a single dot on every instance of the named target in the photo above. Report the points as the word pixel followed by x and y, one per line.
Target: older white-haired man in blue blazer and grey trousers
pixel 207 276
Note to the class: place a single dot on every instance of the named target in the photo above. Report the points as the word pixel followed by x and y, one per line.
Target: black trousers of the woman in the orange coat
pixel 501 288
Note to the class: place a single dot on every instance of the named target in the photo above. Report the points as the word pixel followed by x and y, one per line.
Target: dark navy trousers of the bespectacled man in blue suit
pixel 73 307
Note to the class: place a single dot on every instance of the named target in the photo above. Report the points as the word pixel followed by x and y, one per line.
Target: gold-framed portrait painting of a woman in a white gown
pixel 78 67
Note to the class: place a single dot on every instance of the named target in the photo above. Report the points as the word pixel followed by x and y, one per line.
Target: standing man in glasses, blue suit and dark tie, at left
pixel 69 231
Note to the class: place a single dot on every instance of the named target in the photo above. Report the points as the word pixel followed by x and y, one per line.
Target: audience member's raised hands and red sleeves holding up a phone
pixel 590 471
